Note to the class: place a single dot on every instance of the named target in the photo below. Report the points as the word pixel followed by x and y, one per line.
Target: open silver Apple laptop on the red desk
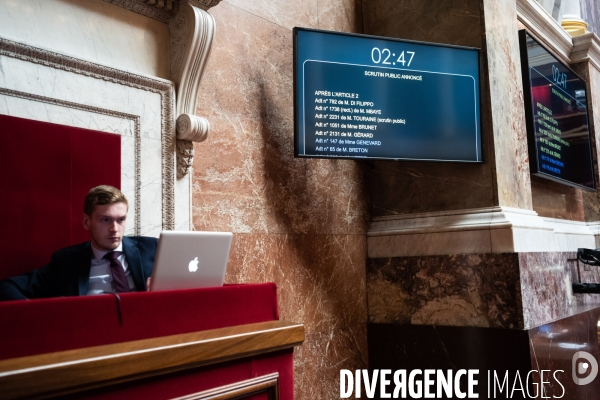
pixel 186 260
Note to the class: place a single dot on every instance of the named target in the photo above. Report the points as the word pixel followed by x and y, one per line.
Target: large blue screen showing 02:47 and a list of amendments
pixel 362 96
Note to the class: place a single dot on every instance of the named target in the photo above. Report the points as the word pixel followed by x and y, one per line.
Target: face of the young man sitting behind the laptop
pixel 106 225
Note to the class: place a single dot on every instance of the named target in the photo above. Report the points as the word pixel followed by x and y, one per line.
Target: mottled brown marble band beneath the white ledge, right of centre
pixel 503 290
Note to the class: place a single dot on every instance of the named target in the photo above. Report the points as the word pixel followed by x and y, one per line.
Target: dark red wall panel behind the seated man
pixel 46 171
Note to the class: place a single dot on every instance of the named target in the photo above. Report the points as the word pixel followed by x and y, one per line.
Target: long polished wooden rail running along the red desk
pixel 83 369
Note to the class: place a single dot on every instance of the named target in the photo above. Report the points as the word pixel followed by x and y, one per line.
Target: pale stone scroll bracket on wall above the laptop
pixel 192 31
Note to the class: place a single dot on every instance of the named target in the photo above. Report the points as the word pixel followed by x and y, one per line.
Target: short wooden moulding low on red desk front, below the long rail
pixel 266 383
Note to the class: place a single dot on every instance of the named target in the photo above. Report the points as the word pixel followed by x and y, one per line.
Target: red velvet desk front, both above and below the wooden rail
pixel 30 328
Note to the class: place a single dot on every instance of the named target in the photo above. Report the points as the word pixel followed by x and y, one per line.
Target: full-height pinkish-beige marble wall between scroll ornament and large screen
pixel 300 223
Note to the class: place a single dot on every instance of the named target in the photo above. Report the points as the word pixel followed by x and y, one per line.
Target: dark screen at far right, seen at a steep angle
pixel 556 113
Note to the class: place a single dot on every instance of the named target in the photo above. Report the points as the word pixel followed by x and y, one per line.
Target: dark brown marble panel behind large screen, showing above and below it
pixel 413 187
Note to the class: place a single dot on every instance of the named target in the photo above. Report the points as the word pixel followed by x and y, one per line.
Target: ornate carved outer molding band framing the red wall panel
pixel 164 88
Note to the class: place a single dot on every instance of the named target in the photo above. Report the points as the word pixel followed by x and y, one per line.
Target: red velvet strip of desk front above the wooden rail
pixel 67 323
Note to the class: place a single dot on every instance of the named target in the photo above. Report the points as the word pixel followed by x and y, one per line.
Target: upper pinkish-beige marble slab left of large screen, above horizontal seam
pixel 246 178
